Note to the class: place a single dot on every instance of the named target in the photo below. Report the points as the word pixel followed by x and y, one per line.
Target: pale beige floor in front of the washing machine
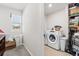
pixel 52 52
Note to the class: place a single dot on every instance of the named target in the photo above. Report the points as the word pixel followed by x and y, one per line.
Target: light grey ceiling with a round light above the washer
pixel 54 8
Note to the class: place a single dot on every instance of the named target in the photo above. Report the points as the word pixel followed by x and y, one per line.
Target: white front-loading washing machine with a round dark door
pixel 53 40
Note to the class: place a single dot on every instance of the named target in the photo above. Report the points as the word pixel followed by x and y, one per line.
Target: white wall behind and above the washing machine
pixel 59 18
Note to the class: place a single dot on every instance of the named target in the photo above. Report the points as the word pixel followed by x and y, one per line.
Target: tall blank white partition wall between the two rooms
pixel 33 18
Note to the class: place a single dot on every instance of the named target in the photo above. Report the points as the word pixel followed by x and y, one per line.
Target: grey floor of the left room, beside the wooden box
pixel 18 51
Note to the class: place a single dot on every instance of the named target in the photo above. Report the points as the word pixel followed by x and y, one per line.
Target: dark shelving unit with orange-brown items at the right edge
pixel 73 22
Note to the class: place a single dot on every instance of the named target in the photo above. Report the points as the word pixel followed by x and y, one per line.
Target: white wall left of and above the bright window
pixel 5 21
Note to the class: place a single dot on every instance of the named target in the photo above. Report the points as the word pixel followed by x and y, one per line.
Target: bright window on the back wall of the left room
pixel 16 23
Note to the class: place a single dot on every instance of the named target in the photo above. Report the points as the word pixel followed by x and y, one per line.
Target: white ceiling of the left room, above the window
pixel 18 6
